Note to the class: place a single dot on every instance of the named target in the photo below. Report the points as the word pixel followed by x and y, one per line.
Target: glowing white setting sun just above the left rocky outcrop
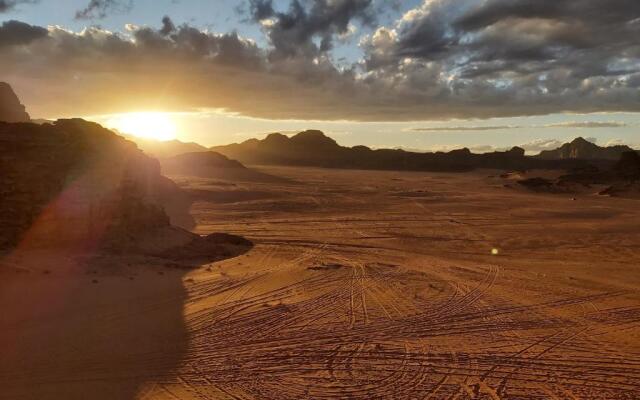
pixel 149 125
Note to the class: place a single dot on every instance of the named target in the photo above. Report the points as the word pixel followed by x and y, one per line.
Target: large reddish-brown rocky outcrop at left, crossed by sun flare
pixel 76 183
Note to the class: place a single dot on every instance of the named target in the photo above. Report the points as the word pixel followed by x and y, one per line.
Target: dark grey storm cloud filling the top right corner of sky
pixel 505 30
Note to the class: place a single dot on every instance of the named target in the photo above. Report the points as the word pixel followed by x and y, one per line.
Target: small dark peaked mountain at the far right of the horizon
pixel 583 149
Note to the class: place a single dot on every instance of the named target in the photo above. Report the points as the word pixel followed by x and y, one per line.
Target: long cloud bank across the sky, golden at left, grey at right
pixel 441 60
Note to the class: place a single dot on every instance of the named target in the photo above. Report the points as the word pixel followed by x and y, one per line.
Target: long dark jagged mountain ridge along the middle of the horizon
pixel 313 148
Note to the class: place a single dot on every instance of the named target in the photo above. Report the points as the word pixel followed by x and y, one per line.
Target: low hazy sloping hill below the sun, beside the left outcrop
pixel 210 164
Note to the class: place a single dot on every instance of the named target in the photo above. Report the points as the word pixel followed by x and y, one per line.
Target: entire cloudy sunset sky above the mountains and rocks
pixel 415 74
